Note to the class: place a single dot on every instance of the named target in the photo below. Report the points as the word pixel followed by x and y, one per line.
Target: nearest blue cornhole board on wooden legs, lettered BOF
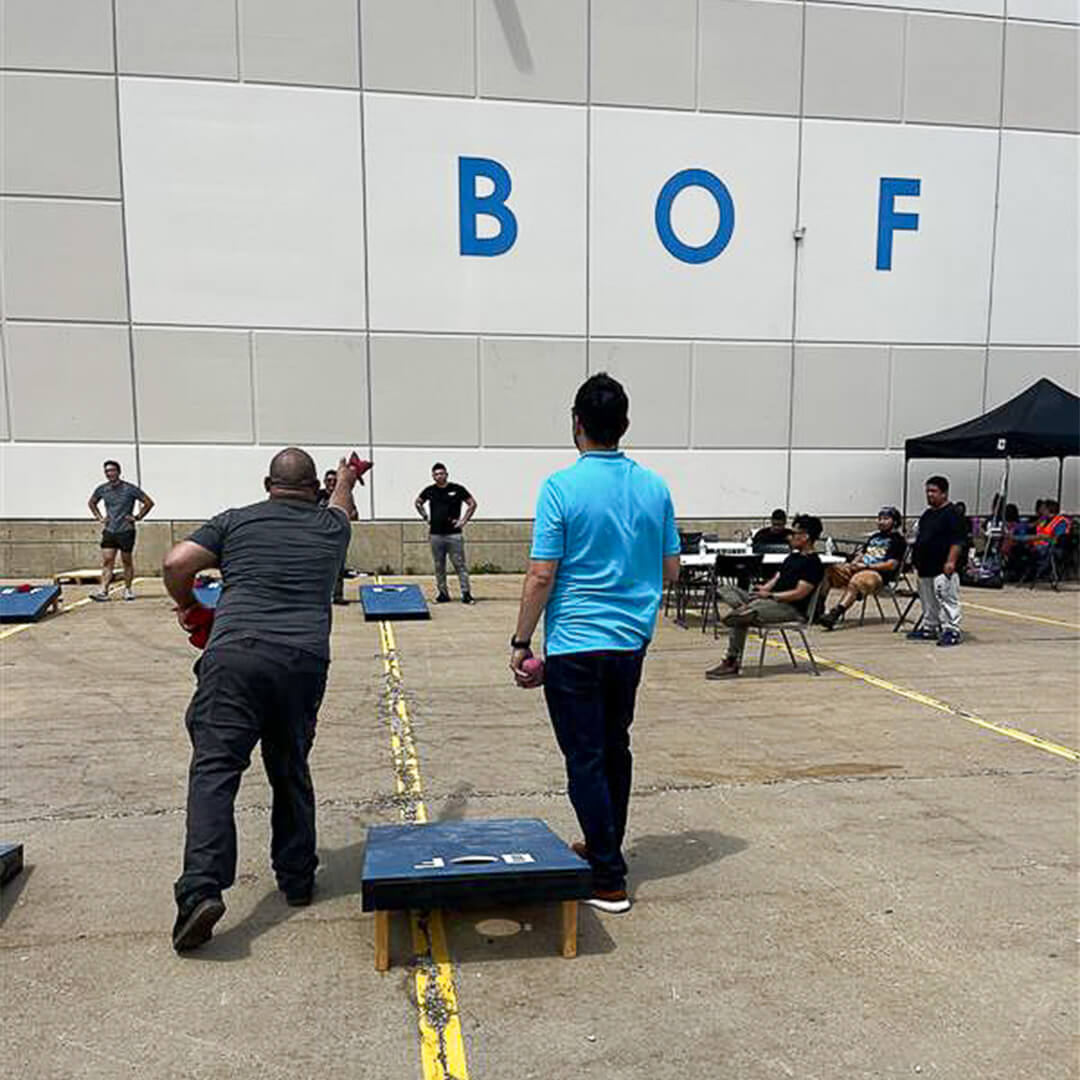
pixel 470 865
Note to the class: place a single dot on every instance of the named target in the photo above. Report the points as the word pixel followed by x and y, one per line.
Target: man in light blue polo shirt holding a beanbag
pixel 604 544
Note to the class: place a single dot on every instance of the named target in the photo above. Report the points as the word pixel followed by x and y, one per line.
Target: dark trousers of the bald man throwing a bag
pixel 250 693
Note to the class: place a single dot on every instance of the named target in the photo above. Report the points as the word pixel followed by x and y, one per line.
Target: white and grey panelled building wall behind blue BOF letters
pixel 232 225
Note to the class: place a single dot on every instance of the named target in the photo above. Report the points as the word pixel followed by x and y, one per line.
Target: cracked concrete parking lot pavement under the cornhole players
pixel 870 874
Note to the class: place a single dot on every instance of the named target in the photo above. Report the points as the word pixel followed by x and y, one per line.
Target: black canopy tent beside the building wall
pixel 1043 422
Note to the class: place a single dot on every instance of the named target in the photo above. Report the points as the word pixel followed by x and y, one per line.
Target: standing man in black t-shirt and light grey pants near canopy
pixel 939 545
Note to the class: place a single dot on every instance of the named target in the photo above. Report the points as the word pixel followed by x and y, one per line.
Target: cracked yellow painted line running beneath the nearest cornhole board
pixel 442 1047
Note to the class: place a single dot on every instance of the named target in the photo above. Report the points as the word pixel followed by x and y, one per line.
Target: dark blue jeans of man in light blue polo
pixel 591 703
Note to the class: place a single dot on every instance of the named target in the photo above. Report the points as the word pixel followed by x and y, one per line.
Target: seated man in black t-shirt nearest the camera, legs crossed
pixel 784 599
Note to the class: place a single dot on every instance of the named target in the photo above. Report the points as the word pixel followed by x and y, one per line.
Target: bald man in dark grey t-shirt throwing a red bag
pixel 261 679
